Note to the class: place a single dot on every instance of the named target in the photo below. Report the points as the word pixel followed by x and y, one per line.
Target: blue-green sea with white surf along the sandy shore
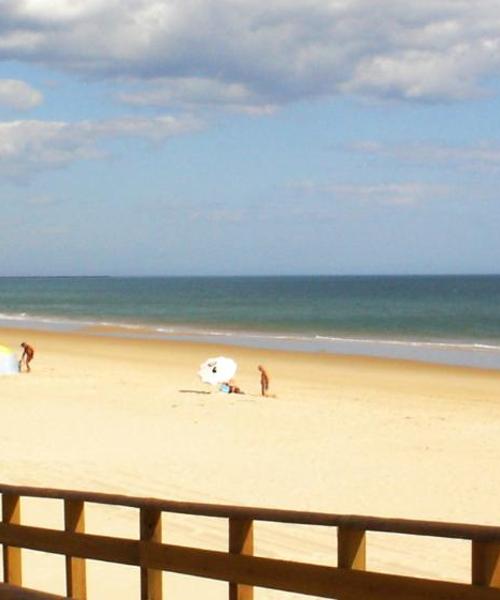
pixel 438 319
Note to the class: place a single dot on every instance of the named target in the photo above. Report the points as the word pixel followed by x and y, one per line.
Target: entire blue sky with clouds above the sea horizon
pixel 224 137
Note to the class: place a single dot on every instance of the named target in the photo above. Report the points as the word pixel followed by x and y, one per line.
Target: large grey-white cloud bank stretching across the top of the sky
pixel 255 54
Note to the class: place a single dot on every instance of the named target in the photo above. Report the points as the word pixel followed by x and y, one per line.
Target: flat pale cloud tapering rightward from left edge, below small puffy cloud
pixel 34 145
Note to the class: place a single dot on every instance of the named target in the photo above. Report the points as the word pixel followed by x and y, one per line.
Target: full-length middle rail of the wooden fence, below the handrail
pixel 290 576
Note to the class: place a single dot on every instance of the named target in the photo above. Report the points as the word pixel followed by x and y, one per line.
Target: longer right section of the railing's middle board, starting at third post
pixel 312 580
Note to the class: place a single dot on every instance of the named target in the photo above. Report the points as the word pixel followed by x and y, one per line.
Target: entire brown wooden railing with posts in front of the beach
pixel 349 580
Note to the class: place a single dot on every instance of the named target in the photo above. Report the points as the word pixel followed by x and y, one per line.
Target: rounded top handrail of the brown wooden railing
pixel 404 526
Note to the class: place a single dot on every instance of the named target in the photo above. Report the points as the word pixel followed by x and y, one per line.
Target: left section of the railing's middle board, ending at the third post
pixel 82 545
